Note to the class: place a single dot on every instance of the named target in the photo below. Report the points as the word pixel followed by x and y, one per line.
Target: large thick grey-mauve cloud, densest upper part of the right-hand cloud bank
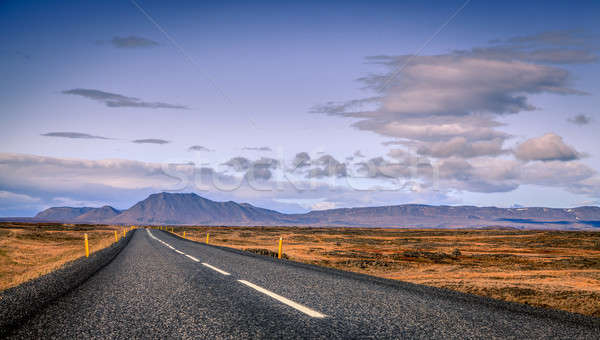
pixel 464 84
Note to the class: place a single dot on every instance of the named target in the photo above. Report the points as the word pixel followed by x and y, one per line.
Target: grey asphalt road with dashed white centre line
pixel 161 286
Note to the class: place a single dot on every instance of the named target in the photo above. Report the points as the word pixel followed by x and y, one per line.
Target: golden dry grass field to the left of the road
pixel 30 250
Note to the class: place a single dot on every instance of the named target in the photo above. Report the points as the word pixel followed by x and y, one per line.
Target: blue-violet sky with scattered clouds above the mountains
pixel 299 106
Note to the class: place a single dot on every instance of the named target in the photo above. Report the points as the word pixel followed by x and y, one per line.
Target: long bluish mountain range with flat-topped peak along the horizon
pixel 191 209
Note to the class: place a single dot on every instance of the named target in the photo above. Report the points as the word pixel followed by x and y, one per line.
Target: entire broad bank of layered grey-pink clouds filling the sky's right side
pixel 446 110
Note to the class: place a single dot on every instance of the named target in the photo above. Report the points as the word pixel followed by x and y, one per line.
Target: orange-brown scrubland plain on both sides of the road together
pixel 552 269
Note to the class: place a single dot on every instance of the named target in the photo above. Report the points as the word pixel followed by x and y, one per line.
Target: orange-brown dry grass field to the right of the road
pixel 554 269
